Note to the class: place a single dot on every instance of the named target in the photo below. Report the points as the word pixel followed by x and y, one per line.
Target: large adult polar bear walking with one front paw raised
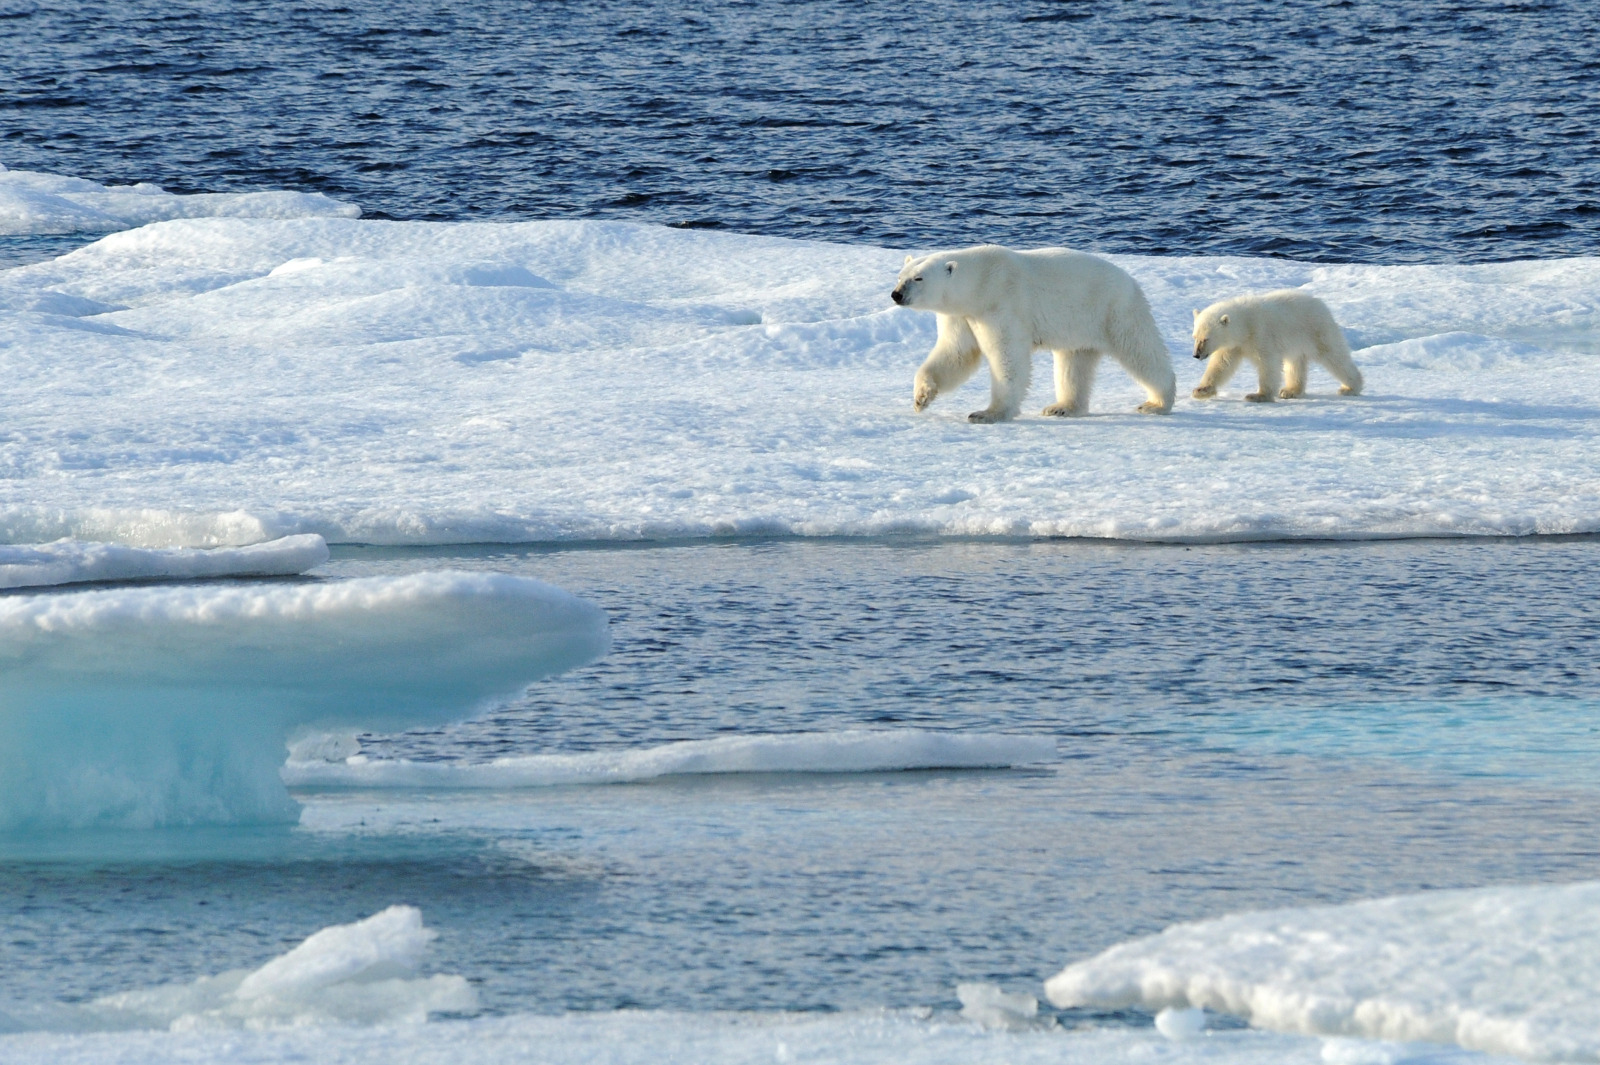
pixel 1006 305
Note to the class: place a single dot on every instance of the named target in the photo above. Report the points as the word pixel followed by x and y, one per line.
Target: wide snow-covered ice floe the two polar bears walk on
pixel 226 381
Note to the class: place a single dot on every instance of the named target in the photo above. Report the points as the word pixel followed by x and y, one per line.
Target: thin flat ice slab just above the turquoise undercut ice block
pixel 73 562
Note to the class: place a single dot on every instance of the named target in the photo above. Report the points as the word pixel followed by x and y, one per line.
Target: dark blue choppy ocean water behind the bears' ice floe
pixel 1356 130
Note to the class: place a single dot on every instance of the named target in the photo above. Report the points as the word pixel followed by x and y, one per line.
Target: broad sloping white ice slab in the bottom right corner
pixel 1503 971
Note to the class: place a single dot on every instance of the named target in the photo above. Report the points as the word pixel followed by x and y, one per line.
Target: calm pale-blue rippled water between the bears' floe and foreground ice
pixel 1238 728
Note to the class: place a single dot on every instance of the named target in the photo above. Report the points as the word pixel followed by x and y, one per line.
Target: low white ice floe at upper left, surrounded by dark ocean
pixel 52 204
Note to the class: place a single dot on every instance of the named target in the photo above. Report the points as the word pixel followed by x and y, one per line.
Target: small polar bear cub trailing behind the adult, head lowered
pixel 1278 332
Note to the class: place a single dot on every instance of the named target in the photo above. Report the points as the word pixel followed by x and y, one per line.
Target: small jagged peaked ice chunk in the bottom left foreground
pixel 362 973
